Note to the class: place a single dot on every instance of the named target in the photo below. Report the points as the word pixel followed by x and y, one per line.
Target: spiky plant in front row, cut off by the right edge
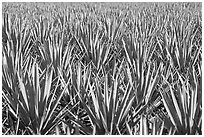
pixel 182 97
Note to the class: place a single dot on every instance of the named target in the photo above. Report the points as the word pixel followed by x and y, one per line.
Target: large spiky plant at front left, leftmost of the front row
pixel 33 101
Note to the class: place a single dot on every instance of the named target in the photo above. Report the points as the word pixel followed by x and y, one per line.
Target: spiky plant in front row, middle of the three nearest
pixel 106 107
